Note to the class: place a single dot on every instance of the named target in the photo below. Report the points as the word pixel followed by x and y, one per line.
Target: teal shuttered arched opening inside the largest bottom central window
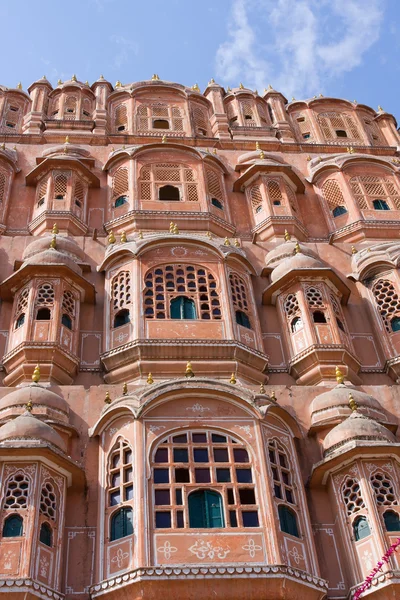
pixel 205 510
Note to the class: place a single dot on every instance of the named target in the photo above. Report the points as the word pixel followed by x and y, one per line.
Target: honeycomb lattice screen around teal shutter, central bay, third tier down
pixel 167 282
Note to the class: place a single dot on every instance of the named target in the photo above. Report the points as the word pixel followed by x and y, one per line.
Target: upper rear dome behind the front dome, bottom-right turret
pixel 335 404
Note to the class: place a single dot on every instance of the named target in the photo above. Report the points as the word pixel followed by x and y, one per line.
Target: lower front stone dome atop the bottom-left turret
pixel 28 427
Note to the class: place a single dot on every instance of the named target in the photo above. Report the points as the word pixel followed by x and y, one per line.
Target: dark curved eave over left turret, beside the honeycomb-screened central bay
pixel 10 285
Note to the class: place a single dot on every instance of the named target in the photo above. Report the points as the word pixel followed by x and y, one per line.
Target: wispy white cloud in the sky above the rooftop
pixel 296 45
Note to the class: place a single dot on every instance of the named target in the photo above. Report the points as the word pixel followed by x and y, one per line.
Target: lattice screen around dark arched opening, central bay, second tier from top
pixel 155 176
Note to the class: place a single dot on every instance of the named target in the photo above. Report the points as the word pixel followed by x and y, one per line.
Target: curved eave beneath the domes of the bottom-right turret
pixel 348 452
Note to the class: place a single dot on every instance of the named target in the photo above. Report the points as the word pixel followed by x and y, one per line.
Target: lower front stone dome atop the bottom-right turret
pixel 357 427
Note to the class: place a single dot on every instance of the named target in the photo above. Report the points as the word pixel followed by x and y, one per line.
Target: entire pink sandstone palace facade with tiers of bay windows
pixel 200 342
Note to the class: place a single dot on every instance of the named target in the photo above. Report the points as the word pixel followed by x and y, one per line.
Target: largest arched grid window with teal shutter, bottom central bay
pixel 219 468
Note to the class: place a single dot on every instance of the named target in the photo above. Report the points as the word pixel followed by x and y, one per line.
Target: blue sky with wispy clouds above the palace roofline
pixel 343 48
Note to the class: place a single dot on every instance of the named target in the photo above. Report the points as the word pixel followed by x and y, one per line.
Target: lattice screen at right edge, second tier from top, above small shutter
pixel 367 188
